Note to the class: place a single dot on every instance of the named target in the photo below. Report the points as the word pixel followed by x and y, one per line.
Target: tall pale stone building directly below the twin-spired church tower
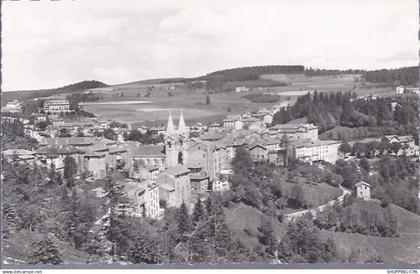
pixel 174 186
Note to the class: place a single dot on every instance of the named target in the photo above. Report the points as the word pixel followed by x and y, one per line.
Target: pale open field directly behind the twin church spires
pixel 155 110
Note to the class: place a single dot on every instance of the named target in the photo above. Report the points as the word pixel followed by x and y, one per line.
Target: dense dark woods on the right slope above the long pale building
pixel 328 110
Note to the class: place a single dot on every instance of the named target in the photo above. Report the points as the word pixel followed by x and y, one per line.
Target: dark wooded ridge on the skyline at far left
pixel 28 94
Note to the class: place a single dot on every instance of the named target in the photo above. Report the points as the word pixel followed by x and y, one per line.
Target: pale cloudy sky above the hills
pixel 48 44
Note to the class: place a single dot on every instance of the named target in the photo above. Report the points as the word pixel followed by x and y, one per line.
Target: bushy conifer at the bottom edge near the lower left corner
pixel 45 252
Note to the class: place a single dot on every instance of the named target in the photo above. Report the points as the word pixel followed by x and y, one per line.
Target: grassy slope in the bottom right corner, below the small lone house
pixel 404 248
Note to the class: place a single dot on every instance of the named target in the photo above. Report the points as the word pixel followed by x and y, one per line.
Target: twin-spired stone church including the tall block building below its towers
pixel 174 181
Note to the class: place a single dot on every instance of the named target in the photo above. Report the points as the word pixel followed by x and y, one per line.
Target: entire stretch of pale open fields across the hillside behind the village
pixel 155 111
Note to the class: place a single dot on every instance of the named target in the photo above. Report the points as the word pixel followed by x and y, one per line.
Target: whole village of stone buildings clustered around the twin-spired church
pixel 187 164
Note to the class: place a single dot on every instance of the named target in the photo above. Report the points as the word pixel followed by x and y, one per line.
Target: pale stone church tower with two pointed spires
pixel 176 142
